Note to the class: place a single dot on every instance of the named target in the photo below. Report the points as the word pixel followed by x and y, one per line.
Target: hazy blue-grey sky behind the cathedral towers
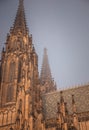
pixel 62 26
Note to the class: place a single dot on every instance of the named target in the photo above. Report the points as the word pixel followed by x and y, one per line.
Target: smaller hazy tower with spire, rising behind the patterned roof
pixel 46 80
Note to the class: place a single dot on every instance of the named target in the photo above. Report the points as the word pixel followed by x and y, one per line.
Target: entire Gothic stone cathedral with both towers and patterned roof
pixel 30 102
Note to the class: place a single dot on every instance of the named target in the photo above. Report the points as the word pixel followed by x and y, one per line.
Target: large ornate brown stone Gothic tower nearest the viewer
pixel 19 87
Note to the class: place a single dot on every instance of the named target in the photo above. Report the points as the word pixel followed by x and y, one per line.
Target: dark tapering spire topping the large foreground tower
pixel 20 22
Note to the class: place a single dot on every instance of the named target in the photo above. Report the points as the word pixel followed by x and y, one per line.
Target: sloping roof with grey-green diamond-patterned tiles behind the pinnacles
pixel 81 96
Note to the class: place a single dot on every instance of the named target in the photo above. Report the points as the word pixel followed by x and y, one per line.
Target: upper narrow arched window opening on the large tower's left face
pixel 12 72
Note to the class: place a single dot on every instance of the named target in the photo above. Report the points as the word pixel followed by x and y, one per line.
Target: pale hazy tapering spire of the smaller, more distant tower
pixel 45 71
